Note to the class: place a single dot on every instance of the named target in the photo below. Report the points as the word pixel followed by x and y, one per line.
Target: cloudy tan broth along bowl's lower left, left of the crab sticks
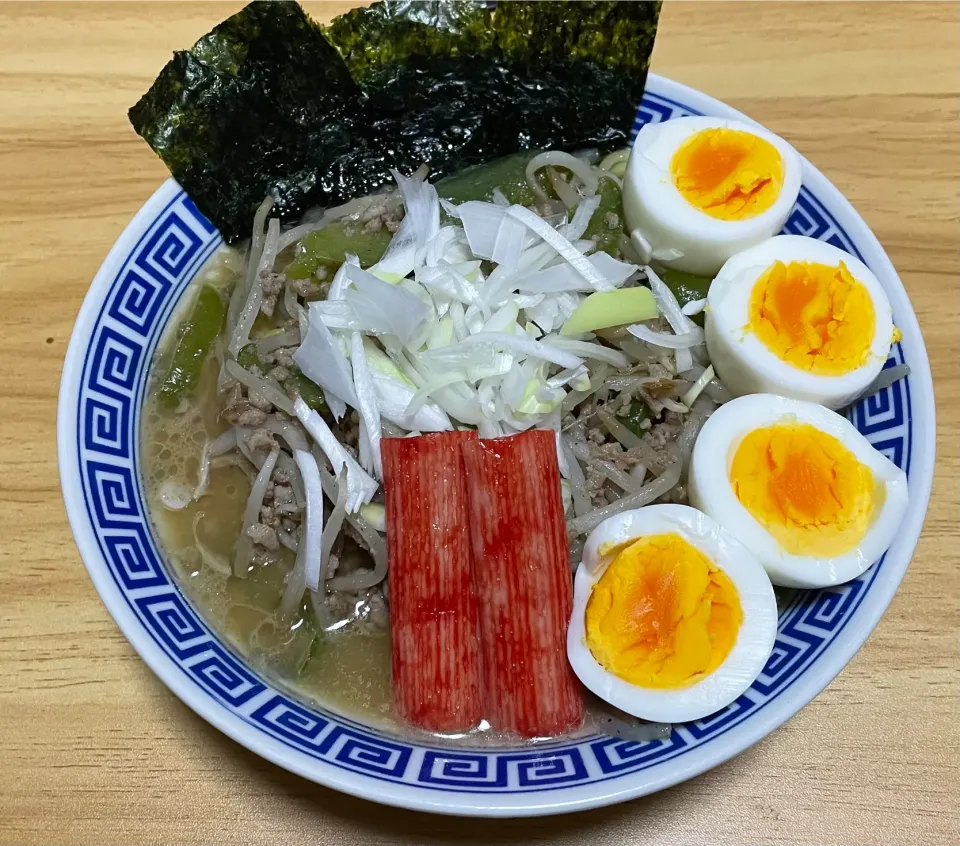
pixel 347 670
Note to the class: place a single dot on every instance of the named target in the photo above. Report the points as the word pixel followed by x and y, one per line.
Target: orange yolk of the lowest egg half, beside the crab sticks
pixel 662 615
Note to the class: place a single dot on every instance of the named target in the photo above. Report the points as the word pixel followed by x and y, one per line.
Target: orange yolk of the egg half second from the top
pixel 816 317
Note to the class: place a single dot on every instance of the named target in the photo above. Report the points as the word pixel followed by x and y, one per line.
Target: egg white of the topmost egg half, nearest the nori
pixel 679 234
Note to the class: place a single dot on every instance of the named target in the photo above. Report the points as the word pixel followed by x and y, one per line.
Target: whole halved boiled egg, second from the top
pixel 798 317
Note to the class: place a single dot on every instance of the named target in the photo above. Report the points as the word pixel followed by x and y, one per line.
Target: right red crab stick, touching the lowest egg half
pixel 522 577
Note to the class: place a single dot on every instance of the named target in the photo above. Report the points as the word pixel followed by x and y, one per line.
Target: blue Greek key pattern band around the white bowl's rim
pixel 140 300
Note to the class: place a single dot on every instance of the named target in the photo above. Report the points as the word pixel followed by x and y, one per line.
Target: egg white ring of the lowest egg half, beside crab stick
pixel 754 639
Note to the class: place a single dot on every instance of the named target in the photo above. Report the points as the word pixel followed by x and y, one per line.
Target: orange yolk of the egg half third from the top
pixel 806 488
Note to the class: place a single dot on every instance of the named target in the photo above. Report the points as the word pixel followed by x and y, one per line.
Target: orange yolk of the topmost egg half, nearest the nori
pixel 728 174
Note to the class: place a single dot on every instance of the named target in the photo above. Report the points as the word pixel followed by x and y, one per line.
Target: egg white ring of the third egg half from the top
pixel 710 489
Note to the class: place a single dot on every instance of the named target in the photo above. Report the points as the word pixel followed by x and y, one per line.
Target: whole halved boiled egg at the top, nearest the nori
pixel 698 190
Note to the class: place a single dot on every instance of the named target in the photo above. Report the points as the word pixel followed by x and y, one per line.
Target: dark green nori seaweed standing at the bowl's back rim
pixel 271 102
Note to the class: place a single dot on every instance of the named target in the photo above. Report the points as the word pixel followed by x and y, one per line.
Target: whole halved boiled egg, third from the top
pixel 799 486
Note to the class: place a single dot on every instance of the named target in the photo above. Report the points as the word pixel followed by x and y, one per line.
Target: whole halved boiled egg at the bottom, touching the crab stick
pixel 672 617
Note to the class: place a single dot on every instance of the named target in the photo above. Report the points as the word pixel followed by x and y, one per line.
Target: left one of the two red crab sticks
pixel 433 607
